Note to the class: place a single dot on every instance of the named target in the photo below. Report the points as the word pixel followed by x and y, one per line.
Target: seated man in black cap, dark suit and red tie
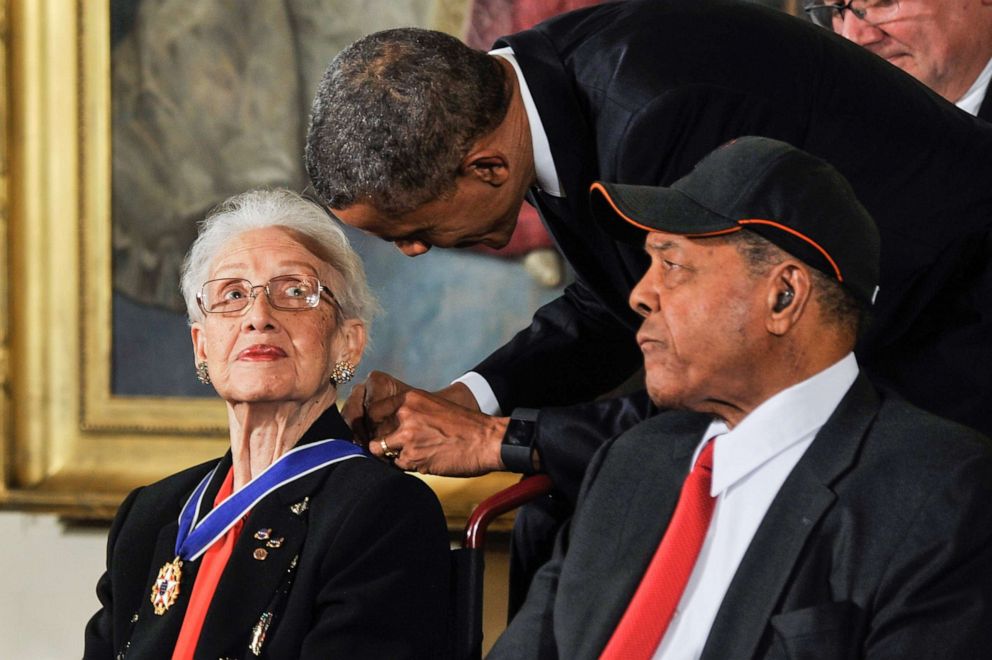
pixel 820 517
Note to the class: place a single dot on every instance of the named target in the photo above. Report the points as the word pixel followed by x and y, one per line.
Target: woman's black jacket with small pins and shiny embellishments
pixel 371 579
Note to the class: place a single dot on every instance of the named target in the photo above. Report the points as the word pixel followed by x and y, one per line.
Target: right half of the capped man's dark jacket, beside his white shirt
pixel 843 561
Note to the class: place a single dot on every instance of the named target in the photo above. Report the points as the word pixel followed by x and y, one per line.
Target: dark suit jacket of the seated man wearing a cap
pixel 879 544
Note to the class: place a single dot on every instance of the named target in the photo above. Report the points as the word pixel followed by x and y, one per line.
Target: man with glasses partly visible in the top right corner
pixel 945 45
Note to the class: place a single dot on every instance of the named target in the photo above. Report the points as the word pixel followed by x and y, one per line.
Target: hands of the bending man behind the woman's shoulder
pixel 431 433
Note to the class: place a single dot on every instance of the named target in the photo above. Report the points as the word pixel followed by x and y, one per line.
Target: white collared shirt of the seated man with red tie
pixel 750 464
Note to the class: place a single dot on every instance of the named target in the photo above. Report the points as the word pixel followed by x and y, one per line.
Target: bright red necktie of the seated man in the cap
pixel 651 609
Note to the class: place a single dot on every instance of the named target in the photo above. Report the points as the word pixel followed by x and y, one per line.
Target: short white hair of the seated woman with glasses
pixel 259 209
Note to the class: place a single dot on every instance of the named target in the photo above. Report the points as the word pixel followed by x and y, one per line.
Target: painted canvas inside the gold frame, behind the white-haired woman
pixel 210 99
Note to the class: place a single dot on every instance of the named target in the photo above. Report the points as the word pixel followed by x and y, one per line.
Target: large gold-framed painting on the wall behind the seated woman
pixel 109 167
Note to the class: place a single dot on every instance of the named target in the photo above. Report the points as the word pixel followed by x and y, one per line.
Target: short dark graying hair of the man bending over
pixel 395 114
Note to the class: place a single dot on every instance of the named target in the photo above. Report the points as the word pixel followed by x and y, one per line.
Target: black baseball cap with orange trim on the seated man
pixel 789 197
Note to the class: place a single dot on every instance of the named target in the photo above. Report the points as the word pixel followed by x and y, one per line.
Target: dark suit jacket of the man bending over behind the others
pixel 638 92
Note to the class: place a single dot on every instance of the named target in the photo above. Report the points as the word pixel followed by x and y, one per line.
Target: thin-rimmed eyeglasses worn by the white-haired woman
pixel 290 293
